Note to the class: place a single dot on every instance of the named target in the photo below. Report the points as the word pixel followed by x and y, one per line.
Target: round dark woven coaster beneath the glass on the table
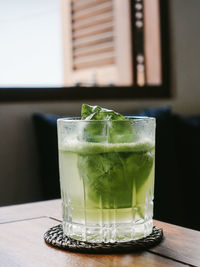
pixel 54 236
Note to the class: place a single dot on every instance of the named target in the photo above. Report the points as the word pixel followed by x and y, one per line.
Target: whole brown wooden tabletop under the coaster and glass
pixel 21 242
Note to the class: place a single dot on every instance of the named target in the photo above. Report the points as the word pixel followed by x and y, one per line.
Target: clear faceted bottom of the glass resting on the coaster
pixel 105 234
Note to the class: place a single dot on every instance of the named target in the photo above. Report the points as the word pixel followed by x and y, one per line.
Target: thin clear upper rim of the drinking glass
pixel 131 118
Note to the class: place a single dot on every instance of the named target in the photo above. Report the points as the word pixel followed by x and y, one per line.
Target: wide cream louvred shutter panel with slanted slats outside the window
pixel 97 42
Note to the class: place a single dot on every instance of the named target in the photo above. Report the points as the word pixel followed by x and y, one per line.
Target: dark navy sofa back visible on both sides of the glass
pixel 177 164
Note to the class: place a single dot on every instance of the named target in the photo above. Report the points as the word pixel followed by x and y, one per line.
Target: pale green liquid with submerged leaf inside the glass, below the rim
pixel 104 184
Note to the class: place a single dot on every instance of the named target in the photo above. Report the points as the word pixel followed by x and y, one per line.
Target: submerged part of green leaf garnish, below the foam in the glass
pixel 112 176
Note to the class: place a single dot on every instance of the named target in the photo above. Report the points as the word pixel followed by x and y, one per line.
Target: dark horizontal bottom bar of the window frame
pixel 27 94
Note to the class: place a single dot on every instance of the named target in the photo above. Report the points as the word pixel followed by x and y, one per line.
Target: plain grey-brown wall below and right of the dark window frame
pixel 19 180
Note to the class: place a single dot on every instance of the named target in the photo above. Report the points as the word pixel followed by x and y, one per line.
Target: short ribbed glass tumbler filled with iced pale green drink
pixel 107 178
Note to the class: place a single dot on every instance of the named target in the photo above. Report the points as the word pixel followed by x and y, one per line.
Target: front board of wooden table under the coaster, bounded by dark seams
pixel 21 244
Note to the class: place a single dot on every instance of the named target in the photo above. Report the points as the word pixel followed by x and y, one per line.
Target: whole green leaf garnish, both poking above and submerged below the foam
pixel 111 178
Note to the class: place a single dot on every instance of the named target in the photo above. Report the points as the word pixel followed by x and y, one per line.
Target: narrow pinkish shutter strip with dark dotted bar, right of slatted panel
pixel 147 42
